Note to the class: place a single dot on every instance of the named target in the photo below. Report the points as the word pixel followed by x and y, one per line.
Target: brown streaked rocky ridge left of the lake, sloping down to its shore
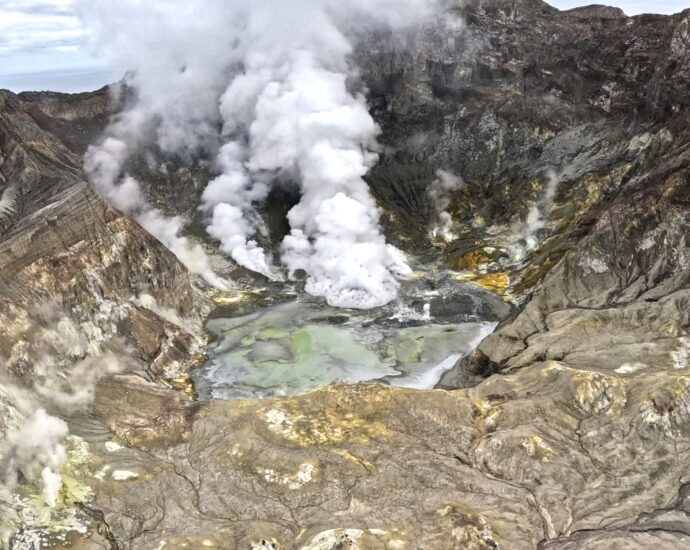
pixel 75 268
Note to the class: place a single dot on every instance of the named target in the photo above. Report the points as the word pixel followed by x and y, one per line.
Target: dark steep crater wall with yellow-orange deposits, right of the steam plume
pixel 510 95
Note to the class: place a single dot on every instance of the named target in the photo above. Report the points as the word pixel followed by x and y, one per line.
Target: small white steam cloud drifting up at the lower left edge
pixel 32 436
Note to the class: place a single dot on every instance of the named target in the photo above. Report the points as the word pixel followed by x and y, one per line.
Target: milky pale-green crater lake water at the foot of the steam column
pixel 293 347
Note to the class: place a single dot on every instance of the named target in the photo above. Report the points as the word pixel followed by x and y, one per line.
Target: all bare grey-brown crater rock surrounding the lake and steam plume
pixel 568 428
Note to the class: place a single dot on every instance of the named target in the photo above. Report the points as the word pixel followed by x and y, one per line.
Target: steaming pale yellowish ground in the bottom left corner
pixel 33 451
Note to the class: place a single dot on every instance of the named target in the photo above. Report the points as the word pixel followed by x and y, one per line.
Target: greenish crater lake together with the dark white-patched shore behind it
pixel 300 344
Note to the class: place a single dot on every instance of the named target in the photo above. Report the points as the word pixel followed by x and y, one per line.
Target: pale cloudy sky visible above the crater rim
pixel 44 46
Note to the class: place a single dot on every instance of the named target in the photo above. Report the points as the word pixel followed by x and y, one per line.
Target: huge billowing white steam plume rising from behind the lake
pixel 266 86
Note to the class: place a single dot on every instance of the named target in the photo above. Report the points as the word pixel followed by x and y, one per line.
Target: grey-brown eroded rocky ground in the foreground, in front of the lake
pixel 552 456
